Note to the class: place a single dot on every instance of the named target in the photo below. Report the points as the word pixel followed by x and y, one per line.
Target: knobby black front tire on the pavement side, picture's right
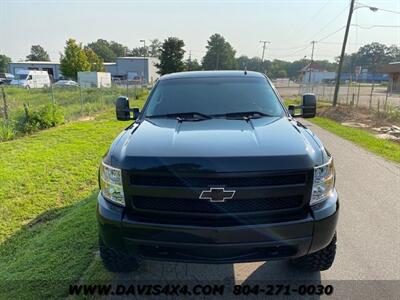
pixel 318 261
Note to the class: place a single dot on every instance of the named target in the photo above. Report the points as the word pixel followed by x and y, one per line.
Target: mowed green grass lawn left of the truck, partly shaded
pixel 48 231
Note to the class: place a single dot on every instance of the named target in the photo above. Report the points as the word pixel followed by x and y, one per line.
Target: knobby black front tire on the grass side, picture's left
pixel 116 261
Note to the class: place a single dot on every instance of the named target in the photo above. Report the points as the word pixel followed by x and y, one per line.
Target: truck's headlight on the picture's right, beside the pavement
pixel 324 182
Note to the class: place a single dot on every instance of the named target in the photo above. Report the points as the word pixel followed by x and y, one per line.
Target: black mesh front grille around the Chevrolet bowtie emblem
pixel 175 198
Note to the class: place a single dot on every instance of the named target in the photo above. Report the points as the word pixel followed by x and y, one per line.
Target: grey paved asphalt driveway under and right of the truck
pixel 368 234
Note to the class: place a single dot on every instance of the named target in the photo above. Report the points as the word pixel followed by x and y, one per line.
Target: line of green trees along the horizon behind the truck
pixel 220 55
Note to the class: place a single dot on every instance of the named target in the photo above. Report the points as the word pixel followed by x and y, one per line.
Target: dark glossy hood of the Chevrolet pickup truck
pixel 216 144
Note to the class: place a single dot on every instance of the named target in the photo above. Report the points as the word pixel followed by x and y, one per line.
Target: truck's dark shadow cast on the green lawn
pixel 50 252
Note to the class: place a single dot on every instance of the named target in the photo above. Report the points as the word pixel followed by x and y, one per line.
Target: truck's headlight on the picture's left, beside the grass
pixel 111 184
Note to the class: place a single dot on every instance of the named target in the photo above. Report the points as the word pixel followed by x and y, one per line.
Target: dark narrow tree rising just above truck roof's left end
pixel 171 57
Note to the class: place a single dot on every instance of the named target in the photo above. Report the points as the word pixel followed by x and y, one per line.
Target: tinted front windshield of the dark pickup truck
pixel 214 96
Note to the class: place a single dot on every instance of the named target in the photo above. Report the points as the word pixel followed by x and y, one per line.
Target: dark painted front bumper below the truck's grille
pixel 218 244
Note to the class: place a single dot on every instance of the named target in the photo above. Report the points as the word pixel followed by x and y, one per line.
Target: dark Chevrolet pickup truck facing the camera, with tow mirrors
pixel 215 169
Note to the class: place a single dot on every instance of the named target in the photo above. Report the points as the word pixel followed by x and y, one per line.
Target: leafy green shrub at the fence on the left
pixel 47 116
